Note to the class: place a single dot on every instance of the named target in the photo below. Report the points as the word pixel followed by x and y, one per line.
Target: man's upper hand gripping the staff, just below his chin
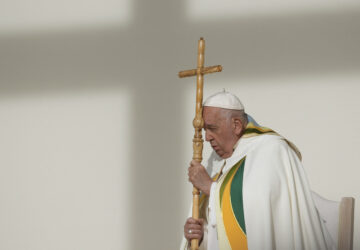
pixel 199 177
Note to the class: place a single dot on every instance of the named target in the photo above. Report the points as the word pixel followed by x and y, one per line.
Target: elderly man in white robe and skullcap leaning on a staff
pixel 254 192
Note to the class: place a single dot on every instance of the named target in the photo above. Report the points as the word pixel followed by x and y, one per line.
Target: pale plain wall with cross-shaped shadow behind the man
pixel 95 126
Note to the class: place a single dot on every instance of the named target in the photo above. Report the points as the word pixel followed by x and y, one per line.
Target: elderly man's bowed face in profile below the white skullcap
pixel 219 131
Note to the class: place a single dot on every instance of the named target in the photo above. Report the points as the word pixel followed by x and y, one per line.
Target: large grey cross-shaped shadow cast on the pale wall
pixel 145 58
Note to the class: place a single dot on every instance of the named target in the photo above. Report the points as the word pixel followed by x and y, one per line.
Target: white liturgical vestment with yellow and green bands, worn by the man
pixel 260 198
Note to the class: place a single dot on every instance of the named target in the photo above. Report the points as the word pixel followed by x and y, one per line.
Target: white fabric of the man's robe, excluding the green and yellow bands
pixel 278 207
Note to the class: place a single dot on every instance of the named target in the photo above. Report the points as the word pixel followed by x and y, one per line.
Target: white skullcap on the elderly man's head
pixel 224 100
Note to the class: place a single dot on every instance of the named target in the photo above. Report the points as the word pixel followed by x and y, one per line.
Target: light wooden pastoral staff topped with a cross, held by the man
pixel 198 121
